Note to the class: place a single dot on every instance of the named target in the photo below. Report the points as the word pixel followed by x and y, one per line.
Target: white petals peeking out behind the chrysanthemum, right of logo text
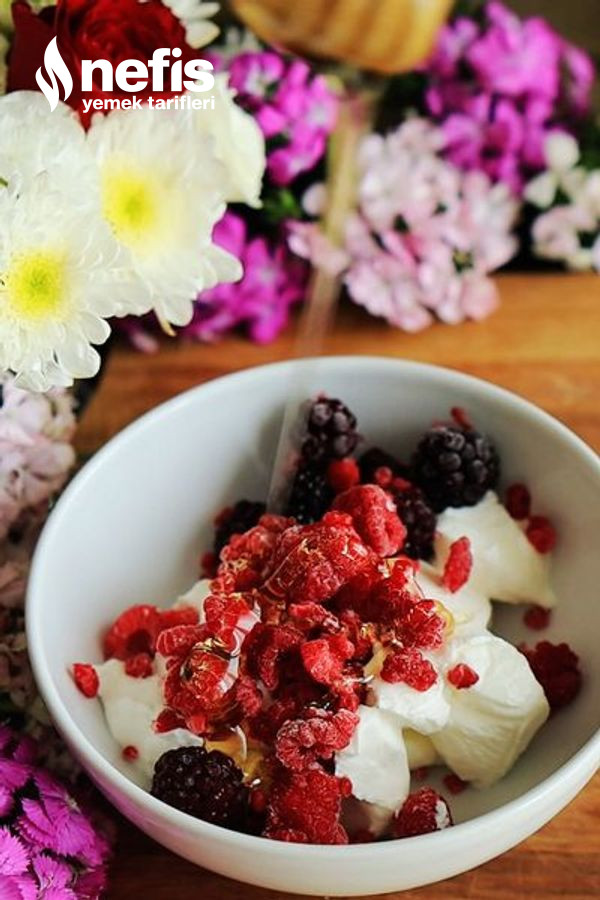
pixel 239 143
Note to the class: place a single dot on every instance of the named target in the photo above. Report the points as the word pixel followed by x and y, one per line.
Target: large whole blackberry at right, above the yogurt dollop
pixel 455 466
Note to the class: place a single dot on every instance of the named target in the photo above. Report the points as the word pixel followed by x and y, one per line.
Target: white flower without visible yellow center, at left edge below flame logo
pixel 49 143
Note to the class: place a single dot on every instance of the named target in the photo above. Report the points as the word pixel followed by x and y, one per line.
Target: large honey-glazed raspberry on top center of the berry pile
pixel 322 558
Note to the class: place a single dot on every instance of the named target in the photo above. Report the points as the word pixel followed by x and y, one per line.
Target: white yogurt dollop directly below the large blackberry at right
pixel 505 565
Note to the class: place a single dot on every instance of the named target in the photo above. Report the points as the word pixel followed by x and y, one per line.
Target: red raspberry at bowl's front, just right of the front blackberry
pixel 305 807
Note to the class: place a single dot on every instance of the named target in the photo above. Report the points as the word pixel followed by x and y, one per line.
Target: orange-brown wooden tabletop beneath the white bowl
pixel 543 343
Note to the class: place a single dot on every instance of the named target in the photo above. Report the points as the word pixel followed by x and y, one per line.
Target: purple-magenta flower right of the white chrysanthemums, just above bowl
pixel 272 282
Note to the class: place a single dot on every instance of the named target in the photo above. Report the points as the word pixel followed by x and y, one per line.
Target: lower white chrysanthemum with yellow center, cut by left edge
pixel 55 286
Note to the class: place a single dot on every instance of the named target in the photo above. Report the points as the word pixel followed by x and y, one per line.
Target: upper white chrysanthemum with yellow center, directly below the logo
pixel 162 192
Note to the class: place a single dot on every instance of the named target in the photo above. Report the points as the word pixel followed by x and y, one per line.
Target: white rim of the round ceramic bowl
pixel 585 759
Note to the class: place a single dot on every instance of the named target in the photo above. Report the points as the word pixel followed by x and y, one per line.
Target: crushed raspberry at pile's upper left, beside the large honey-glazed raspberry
pixel 246 559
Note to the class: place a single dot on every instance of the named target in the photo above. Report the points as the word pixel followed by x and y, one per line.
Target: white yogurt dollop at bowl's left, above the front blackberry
pixel 131 705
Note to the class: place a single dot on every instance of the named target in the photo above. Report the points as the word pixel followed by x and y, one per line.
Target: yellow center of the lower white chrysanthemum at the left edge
pixel 36 285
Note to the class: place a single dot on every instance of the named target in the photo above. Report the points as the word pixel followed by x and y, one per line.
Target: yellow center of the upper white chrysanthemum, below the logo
pixel 133 204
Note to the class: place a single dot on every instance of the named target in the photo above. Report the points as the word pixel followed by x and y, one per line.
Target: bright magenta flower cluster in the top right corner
pixel 498 90
